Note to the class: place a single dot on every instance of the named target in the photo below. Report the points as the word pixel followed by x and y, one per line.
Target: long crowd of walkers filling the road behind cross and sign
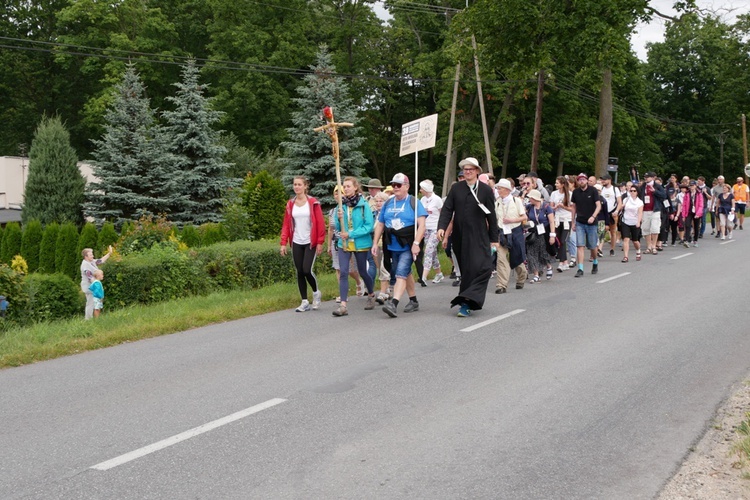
pixel 492 229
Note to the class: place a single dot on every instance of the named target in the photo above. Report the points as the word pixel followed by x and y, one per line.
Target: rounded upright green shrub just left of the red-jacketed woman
pixel 265 201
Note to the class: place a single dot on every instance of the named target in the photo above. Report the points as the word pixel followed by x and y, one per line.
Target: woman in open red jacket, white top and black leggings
pixel 305 229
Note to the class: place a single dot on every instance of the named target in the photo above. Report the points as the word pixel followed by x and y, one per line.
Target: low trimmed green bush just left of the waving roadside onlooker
pixel 53 296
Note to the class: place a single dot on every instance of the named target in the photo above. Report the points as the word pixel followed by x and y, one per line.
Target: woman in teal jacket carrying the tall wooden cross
pixel 355 225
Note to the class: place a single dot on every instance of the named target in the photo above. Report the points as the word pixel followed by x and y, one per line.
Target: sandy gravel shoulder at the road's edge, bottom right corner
pixel 712 471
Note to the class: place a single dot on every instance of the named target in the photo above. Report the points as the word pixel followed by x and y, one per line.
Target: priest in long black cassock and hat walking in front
pixel 471 205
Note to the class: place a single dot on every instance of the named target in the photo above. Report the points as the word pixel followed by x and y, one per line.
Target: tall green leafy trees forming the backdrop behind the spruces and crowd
pixel 677 112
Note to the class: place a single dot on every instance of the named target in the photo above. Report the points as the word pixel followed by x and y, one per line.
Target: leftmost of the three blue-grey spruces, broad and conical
pixel 131 161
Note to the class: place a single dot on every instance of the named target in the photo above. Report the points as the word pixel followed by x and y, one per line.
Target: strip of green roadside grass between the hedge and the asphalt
pixel 51 340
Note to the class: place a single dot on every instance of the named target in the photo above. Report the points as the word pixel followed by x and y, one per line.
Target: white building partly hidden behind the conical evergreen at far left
pixel 14 171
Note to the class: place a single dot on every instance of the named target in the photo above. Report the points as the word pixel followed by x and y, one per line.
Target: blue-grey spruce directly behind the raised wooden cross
pixel 307 152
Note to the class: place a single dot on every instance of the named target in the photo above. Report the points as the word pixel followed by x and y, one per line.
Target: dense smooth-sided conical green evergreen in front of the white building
pixel 55 187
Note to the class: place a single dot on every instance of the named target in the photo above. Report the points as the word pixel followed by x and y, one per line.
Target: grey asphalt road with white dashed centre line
pixel 582 389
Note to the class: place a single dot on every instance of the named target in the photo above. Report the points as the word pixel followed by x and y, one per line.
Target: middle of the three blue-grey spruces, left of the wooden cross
pixel 198 151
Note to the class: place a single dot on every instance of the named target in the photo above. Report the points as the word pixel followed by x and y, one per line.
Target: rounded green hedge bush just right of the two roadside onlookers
pixel 160 273
